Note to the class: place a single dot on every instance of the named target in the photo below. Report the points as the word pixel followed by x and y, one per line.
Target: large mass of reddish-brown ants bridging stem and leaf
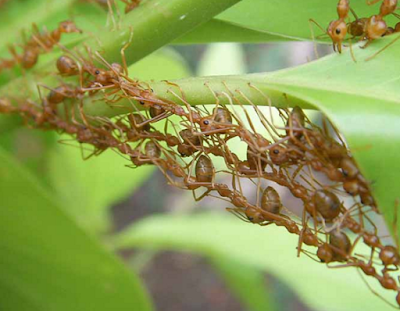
pixel 312 162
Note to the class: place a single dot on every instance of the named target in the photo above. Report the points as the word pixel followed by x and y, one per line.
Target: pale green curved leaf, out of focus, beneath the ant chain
pixel 270 248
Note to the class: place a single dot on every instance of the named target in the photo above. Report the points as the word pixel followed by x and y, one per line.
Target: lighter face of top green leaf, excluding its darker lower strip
pixel 289 19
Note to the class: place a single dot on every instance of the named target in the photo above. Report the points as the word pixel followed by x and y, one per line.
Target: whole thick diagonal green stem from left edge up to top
pixel 143 31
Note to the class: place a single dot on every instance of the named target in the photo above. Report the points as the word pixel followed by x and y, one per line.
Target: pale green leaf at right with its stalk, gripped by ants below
pixel 361 99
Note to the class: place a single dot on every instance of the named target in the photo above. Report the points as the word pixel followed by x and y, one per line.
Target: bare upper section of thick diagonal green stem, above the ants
pixel 157 23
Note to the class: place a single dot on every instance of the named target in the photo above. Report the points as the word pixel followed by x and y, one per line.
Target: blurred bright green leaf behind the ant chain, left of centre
pixel 89 188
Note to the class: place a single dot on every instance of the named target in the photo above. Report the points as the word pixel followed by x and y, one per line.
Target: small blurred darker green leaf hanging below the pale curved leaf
pixel 246 282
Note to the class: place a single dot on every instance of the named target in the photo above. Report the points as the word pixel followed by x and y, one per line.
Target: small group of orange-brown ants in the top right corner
pixel 365 28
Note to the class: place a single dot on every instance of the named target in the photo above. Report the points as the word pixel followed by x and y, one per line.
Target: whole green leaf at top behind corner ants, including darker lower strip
pixel 271 21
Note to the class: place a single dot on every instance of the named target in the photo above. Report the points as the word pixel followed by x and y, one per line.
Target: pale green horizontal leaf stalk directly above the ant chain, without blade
pixel 243 89
